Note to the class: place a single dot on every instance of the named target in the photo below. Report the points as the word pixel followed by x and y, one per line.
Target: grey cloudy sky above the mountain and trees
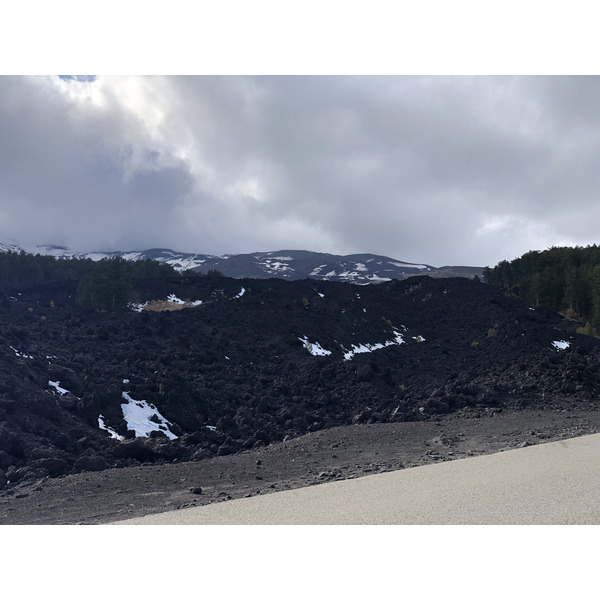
pixel 435 169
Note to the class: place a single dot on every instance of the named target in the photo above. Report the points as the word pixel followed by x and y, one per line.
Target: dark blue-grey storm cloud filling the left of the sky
pixel 86 177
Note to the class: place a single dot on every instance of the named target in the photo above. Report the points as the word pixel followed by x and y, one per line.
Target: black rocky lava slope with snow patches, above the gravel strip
pixel 261 360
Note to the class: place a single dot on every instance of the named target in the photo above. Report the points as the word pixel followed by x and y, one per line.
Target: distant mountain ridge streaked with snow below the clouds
pixel 285 264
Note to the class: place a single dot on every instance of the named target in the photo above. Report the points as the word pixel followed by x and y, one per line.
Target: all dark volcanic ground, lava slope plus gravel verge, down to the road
pixel 261 368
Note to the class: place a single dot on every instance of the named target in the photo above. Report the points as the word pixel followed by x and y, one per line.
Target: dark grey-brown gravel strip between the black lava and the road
pixel 335 454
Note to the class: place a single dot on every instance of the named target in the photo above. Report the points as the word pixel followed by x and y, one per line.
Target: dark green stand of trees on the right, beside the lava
pixel 563 278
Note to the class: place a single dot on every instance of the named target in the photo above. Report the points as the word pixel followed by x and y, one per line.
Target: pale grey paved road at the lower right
pixel 549 484
